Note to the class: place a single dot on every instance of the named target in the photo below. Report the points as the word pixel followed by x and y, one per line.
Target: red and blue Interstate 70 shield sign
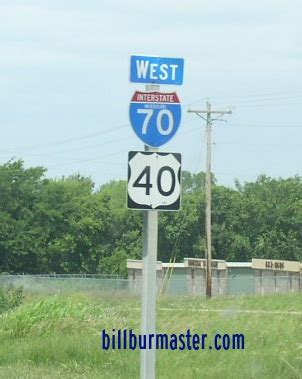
pixel 155 116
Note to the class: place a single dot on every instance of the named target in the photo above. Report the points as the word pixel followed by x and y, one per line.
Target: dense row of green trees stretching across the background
pixel 67 226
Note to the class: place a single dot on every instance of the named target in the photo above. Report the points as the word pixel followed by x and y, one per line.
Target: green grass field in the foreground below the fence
pixel 59 337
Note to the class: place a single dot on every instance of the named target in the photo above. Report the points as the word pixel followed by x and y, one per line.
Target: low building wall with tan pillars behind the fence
pixel 191 281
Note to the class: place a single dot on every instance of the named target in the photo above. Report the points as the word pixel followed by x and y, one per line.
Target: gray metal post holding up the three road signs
pixel 149 287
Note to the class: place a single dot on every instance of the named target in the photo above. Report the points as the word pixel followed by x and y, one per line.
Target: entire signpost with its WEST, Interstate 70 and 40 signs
pixel 155 119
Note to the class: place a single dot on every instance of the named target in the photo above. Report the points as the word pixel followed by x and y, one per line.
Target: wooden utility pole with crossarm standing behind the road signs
pixel 208 191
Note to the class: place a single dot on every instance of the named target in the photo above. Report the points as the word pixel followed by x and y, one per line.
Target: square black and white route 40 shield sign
pixel 154 180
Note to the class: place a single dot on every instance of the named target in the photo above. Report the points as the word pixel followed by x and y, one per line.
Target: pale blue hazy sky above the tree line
pixel 65 89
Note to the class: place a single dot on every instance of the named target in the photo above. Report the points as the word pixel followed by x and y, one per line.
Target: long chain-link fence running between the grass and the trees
pixel 176 286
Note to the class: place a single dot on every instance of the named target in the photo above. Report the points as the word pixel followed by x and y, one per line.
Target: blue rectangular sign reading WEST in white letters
pixel 156 70
